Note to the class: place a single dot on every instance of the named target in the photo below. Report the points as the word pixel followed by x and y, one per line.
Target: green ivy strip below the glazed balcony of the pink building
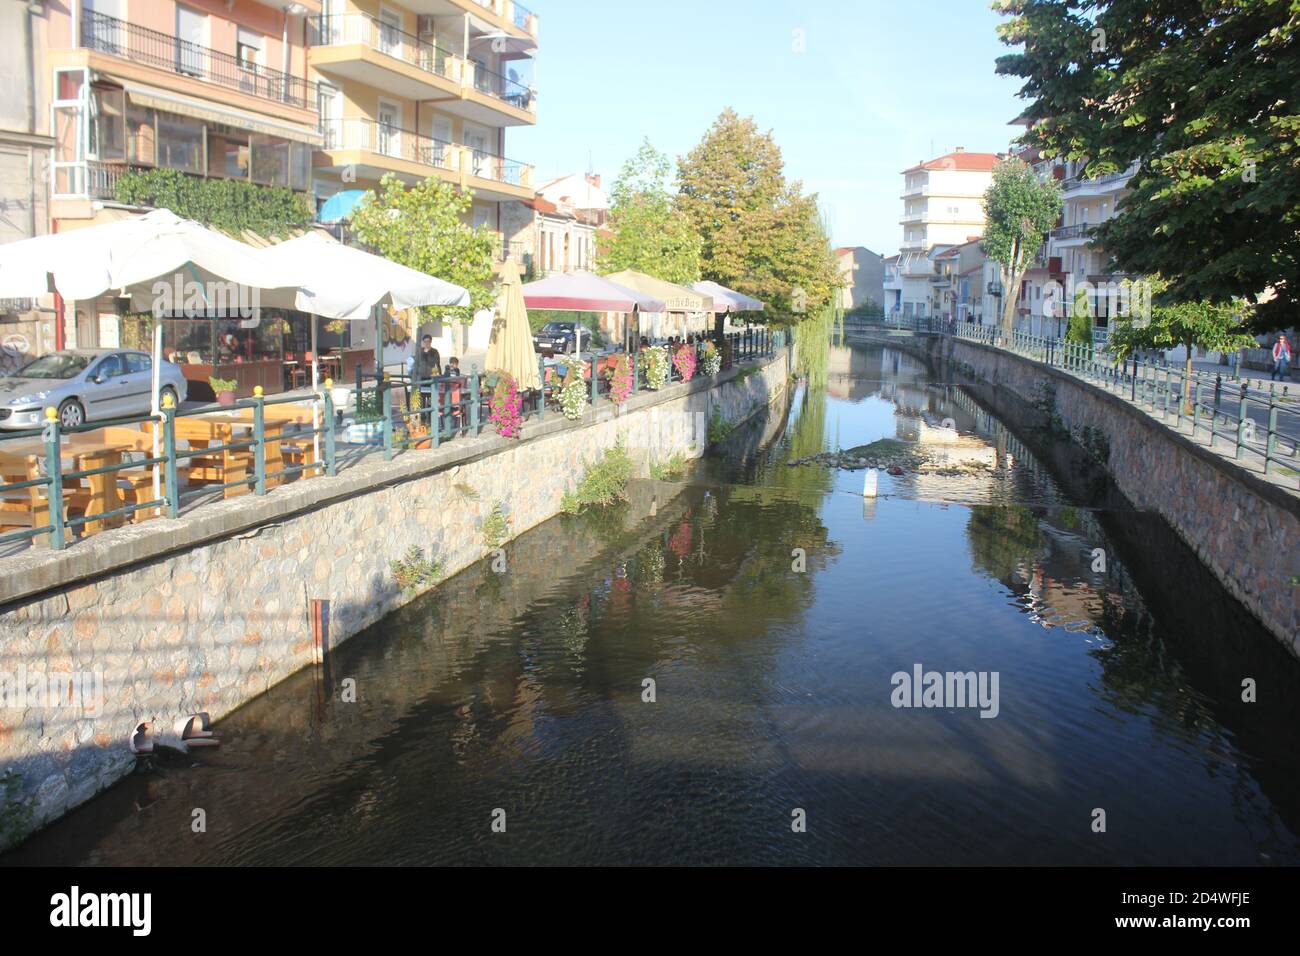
pixel 231 206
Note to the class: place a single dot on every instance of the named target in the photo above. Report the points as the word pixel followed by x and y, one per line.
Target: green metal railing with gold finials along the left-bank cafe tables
pixel 457 406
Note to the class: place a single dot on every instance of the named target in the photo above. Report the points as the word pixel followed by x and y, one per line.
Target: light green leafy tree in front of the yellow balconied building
pixel 422 227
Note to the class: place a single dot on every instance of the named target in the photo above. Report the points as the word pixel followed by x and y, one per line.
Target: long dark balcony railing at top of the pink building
pixel 116 37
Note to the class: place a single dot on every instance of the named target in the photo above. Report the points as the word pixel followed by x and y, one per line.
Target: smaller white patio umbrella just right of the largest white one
pixel 339 282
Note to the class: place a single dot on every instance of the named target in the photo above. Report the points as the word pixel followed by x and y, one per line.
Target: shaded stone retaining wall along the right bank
pixel 1243 529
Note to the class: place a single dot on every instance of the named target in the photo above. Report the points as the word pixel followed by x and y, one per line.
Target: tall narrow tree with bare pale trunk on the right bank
pixel 1020 209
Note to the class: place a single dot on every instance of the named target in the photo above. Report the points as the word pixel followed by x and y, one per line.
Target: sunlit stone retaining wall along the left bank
pixel 210 611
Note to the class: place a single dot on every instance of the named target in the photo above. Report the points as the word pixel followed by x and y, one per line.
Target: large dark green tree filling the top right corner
pixel 1203 98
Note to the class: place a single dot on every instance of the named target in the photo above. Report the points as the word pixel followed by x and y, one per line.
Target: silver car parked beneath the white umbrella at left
pixel 85 386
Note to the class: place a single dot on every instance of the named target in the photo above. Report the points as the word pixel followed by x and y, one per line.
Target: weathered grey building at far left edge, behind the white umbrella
pixel 25 145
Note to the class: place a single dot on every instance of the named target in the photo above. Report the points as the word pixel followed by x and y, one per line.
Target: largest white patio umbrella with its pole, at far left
pixel 132 257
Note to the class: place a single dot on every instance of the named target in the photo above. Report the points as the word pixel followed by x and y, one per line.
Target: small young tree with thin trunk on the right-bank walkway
pixel 1211 326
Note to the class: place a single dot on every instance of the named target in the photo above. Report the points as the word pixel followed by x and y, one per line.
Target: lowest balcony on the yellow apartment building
pixel 374 149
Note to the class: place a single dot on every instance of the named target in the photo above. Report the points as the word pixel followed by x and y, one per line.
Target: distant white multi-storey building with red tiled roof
pixel 943 207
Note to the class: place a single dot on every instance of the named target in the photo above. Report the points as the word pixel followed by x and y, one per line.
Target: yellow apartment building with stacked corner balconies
pixel 424 89
